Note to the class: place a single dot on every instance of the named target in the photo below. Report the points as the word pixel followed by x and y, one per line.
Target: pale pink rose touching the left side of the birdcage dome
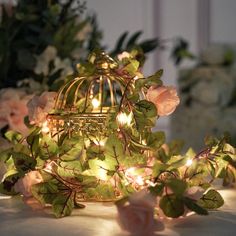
pixel 40 106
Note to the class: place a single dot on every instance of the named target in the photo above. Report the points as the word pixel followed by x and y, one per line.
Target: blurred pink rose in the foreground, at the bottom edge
pixel 137 216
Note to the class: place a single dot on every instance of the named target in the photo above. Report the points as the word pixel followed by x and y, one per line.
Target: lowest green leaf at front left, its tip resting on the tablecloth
pixel 63 205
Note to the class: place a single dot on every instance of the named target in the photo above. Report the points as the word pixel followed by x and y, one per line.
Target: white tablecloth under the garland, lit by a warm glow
pixel 17 219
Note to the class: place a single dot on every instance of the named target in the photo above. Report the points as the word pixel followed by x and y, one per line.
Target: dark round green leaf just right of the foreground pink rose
pixel 172 206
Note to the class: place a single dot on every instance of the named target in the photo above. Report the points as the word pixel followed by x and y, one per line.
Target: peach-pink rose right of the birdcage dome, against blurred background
pixel 165 98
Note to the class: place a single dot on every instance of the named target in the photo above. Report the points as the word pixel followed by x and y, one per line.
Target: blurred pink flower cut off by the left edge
pixel 13 109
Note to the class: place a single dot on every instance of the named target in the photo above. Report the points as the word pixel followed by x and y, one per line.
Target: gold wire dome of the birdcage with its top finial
pixel 98 92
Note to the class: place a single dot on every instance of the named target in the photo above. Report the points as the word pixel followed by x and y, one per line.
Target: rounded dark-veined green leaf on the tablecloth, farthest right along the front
pixel 211 200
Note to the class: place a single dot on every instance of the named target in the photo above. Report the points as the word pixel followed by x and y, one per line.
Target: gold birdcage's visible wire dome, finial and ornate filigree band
pixel 84 103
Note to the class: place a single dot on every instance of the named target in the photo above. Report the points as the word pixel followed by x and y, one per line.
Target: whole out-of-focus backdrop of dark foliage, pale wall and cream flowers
pixel 192 40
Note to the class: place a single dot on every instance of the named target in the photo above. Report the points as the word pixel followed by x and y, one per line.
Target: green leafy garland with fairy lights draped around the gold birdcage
pixel 78 168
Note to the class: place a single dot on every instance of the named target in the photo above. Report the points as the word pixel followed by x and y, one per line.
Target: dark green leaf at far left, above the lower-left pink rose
pixel 23 162
